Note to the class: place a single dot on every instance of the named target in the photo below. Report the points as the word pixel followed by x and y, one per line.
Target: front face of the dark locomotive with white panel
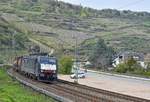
pixel 47 68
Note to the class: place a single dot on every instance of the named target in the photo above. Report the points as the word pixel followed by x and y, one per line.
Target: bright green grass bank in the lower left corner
pixel 13 91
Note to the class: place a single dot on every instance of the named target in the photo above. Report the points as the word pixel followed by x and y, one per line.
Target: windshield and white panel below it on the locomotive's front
pixel 48 64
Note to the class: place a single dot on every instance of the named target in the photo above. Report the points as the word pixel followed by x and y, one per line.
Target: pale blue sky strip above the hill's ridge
pixel 134 5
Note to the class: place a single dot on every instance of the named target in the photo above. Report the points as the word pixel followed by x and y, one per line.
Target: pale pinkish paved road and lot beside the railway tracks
pixel 133 87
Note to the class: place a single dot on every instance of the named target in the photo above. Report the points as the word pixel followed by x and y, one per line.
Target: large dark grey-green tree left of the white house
pixel 101 55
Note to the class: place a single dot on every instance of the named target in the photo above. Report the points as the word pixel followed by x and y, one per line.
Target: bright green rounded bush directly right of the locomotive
pixel 65 65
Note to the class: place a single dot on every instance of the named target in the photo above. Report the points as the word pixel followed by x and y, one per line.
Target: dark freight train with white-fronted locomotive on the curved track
pixel 38 66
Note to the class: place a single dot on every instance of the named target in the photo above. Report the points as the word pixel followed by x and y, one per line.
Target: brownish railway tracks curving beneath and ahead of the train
pixel 78 93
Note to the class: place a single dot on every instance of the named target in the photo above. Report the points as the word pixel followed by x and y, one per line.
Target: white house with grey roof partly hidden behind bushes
pixel 124 56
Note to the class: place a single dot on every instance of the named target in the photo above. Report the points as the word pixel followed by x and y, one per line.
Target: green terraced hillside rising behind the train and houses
pixel 57 25
